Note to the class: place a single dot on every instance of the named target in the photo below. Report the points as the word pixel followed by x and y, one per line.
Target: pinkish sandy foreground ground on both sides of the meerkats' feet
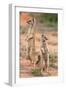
pixel 27 66
